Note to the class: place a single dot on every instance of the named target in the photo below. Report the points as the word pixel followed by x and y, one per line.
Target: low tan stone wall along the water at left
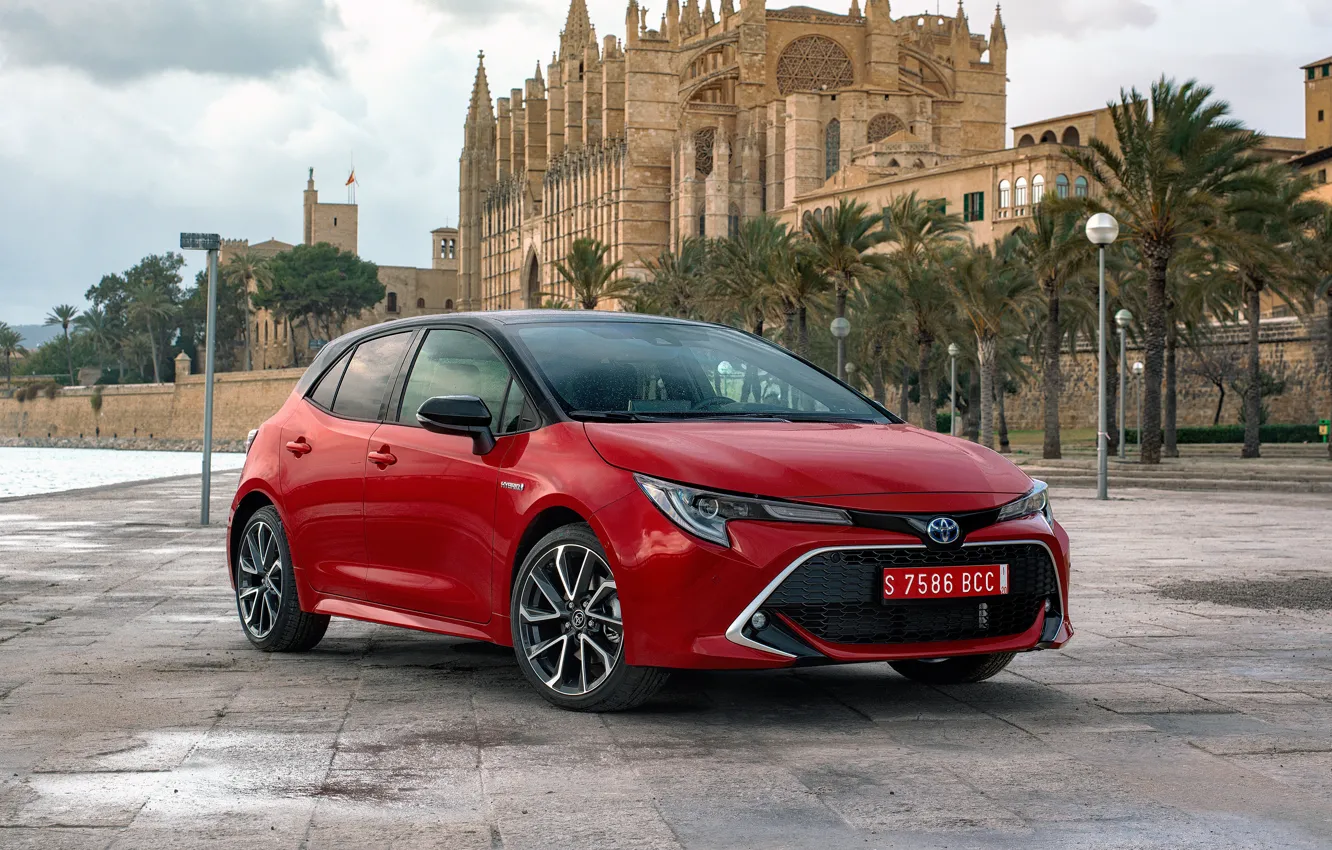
pixel 242 402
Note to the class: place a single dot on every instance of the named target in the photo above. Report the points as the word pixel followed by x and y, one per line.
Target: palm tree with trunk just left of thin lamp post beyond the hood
pixel 921 235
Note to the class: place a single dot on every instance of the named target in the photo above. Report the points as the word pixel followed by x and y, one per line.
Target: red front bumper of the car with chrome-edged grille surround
pixel 689 604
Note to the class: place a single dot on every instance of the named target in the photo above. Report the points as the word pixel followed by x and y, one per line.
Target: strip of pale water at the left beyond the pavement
pixel 27 472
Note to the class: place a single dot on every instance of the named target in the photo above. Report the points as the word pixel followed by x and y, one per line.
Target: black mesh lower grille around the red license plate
pixel 838 598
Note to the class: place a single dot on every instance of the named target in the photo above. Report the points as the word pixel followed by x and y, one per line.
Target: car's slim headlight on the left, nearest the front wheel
pixel 705 514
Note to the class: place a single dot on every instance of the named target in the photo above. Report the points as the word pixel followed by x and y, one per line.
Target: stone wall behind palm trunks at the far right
pixel 1290 354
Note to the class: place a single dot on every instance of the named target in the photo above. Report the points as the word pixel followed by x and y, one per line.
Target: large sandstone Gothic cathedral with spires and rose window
pixel 709 119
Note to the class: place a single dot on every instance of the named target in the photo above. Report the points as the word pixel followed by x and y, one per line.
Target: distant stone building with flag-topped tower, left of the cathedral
pixel 410 291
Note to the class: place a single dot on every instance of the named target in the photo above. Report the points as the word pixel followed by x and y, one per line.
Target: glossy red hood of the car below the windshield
pixel 809 460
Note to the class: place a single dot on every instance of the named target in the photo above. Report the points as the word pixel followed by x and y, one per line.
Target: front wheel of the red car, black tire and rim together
pixel 551 634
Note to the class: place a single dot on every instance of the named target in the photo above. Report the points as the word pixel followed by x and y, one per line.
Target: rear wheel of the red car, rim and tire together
pixel 266 591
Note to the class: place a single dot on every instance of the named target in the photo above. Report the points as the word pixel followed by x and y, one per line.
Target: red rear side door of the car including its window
pixel 323 467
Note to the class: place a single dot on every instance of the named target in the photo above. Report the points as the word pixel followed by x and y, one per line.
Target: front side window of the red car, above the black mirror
pixel 456 363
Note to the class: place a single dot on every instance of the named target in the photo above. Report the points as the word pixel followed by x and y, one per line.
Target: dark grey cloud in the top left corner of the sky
pixel 134 39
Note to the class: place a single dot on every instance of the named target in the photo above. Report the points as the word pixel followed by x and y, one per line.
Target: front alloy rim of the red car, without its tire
pixel 571 628
